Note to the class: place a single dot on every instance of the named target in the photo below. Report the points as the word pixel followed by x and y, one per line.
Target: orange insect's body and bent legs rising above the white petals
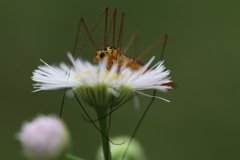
pixel 114 54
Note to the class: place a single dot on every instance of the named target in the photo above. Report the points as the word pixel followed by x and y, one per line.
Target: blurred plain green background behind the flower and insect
pixel 202 52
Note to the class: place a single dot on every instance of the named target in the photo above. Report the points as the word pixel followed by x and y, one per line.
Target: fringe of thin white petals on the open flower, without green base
pixel 83 73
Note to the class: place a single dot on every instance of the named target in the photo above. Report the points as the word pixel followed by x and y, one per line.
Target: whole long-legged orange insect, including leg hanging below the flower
pixel 114 53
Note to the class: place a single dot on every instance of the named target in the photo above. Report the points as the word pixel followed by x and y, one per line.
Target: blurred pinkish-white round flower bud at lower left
pixel 46 137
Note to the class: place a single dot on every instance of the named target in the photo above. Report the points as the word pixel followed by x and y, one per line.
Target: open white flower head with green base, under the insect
pixel 85 79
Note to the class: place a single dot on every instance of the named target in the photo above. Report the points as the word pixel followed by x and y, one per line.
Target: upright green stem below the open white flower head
pixel 103 124
